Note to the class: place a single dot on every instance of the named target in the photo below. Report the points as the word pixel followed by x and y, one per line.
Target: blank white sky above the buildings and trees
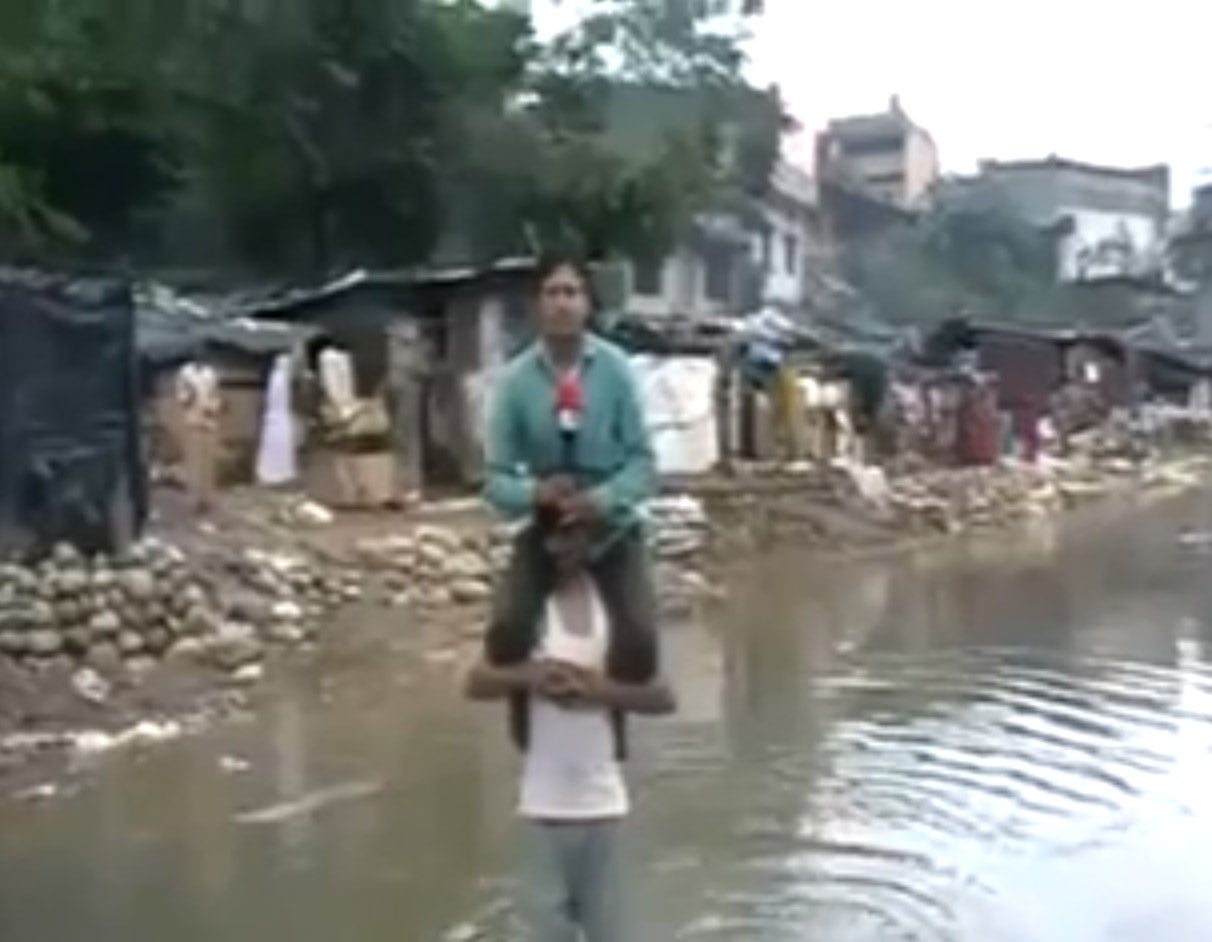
pixel 1114 83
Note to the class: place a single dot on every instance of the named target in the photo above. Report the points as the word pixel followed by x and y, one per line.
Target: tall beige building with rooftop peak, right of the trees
pixel 885 155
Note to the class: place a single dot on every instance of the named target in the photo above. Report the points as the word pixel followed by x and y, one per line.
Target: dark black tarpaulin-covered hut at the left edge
pixel 71 454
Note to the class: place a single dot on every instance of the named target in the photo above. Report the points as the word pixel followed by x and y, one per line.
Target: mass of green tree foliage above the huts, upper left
pixel 304 136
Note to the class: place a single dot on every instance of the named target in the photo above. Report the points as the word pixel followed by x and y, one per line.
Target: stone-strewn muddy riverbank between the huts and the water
pixel 98 654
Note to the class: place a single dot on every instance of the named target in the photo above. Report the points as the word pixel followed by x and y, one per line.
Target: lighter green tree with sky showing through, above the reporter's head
pixel 631 123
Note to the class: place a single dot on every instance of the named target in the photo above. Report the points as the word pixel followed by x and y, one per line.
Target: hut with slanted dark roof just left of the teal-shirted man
pixel 426 347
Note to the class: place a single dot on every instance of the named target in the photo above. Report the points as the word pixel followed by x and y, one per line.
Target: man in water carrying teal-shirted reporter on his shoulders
pixel 573 641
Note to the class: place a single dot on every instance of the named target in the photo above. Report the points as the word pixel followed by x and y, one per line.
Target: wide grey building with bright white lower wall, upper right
pixel 1110 221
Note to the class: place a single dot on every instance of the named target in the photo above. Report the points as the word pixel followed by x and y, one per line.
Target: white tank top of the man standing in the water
pixel 571 772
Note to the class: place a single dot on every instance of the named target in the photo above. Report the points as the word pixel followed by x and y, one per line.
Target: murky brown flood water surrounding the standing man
pixel 1003 743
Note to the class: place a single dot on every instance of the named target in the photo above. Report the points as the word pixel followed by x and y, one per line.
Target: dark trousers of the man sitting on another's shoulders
pixel 624 576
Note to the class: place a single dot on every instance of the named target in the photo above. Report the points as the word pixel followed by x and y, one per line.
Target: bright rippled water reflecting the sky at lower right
pixel 936 774
